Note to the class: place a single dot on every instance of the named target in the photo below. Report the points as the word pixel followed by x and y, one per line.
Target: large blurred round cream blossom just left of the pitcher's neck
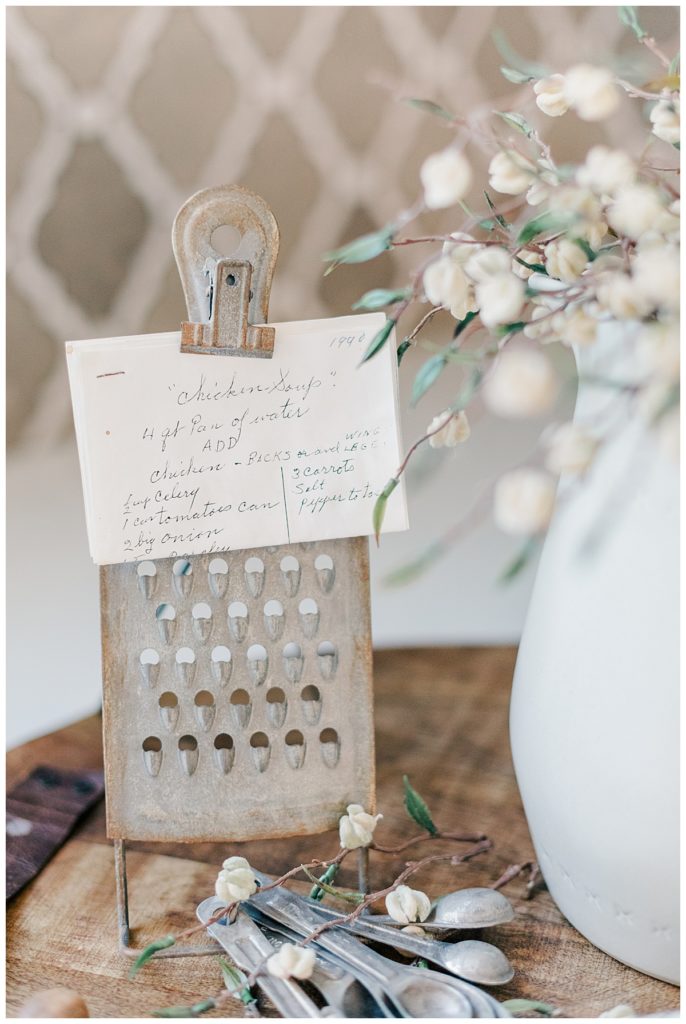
pixel 523 383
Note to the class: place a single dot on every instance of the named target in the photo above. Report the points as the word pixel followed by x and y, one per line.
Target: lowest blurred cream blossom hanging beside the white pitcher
pixel 524 502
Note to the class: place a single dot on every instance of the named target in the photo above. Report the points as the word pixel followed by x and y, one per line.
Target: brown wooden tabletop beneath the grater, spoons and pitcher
pixel 441 718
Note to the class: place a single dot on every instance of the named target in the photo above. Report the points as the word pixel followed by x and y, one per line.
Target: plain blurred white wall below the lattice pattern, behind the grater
pixel 54 666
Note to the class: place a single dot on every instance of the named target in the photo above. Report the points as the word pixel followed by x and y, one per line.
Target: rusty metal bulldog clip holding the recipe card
pixel 228 317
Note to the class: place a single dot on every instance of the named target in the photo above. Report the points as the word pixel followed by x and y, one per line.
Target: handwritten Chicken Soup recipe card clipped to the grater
pixel 186 454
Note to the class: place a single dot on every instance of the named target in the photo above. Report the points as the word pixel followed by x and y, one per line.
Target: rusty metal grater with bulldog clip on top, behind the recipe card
pixel 237 687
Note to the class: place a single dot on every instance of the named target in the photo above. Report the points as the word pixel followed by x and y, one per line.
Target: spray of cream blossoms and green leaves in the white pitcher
pixel 560 255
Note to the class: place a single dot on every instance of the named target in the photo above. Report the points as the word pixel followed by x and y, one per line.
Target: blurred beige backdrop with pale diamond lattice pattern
pixel 117 115
